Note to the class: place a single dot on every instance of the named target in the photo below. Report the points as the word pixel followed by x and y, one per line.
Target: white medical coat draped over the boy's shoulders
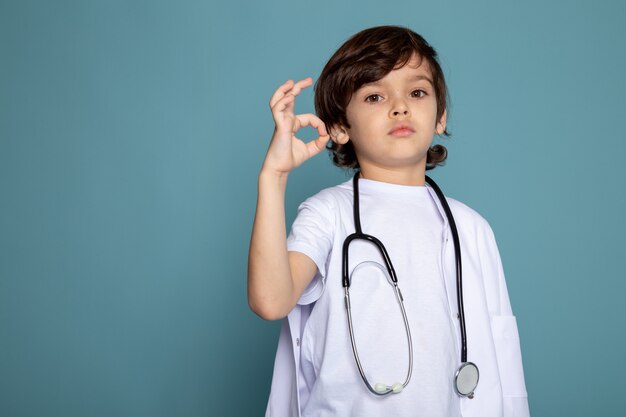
pixel 492 335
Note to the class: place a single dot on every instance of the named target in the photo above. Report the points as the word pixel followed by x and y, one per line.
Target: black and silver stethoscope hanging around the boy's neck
pixel 466 377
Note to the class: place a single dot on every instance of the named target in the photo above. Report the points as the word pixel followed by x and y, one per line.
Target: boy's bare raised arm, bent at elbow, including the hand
pixel 276 277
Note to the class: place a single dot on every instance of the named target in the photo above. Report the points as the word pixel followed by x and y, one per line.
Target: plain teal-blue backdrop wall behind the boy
pixel 131 137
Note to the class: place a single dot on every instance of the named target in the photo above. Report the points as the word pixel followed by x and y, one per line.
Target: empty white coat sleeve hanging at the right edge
pixel 503 327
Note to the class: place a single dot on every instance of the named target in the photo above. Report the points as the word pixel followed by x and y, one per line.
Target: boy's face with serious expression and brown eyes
pixel 404 96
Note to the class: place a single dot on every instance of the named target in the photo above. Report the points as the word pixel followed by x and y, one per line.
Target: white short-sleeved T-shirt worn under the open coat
pixel 407 221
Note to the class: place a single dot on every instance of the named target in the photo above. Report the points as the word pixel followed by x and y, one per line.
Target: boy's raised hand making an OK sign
pixel 286 151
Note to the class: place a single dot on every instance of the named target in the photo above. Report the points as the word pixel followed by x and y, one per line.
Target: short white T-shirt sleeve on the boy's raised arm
pixel 312 234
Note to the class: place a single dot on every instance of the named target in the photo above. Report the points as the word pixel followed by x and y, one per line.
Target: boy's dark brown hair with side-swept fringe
pixel 366 57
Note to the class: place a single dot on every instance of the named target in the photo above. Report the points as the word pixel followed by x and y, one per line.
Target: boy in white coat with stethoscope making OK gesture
pixel 380 99
